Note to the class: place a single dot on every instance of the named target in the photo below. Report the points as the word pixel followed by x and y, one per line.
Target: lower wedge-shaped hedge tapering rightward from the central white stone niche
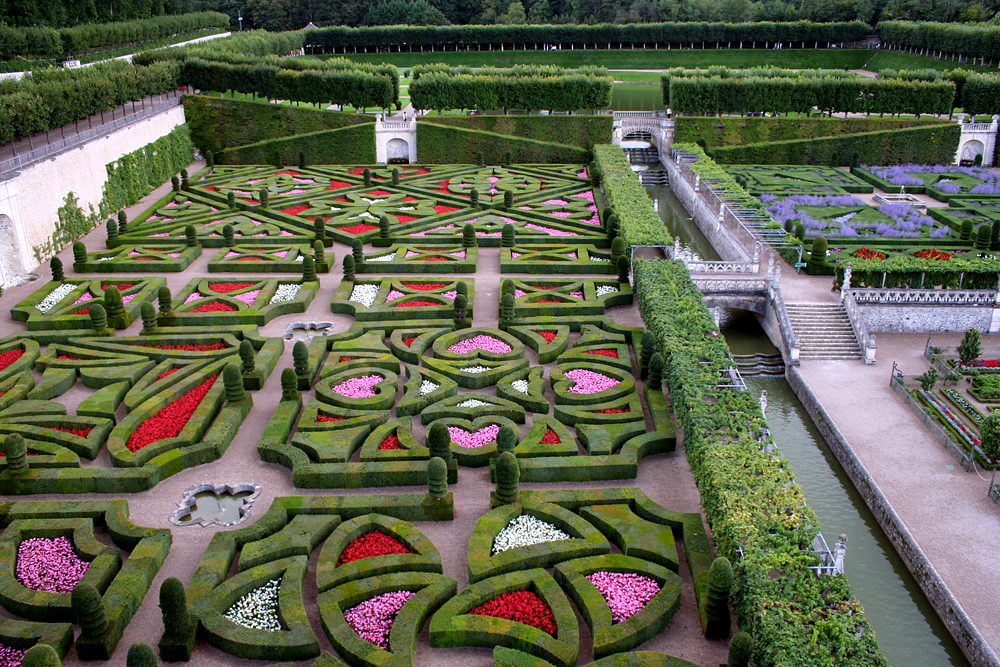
pixel 440 144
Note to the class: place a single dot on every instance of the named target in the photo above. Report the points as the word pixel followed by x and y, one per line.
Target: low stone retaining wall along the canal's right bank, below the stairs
pixel 940 596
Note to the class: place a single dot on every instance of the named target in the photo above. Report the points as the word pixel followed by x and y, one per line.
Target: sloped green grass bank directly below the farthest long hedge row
pixel 628 59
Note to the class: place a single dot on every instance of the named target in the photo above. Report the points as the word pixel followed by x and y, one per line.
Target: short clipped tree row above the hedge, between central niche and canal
pixel 568 91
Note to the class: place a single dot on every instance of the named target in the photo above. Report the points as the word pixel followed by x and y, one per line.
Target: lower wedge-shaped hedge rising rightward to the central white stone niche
pixel 354 144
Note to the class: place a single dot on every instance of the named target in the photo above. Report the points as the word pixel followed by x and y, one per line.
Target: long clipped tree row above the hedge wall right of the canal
pixel 736 94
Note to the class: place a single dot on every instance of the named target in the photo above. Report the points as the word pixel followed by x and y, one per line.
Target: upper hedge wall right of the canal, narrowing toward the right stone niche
pixel 741 130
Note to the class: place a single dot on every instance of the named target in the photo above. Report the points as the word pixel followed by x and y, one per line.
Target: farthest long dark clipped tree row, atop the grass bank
pixel 340 37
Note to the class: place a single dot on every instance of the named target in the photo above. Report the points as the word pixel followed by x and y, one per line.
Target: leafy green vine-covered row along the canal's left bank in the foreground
pixel 759 517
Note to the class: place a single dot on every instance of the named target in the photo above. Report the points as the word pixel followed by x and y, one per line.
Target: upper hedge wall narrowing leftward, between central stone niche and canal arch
pixel 580 131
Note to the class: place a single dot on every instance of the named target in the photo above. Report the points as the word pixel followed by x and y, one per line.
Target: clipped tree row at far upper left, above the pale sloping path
pixel 41 42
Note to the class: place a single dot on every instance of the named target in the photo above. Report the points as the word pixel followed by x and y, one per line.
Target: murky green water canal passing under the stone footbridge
pixel 907 627
